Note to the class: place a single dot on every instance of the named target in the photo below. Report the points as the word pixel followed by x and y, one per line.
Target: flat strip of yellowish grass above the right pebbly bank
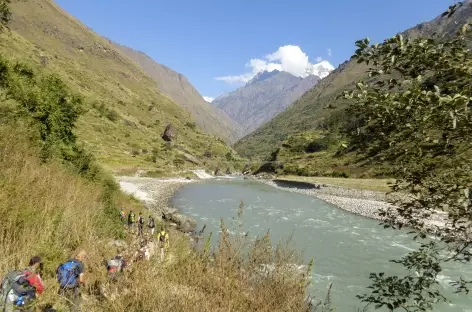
pixel 380 185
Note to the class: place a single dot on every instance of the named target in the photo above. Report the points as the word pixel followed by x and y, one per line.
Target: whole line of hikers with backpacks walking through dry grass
pixel 19 288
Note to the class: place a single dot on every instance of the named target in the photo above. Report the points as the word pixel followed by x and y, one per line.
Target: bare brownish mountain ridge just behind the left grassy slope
pixel 178 88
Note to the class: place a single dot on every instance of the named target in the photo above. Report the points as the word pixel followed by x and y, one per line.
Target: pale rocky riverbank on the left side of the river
pixel 156 194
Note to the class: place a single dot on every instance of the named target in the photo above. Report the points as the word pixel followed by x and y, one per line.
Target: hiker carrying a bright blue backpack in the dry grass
pixel 70 276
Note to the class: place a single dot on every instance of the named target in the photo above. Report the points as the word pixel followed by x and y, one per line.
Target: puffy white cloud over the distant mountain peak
pixel 288 58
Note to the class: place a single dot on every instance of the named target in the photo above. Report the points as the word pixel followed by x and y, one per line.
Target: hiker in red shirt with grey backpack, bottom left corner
pixel 19 288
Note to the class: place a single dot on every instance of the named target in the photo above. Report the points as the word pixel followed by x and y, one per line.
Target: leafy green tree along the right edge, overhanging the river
pixel 416 116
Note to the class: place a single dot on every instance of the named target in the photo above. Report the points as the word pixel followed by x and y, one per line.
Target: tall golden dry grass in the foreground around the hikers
pixel 50 212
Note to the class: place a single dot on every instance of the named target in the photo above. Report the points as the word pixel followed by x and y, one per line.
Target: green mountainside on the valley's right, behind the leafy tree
pixel 309 113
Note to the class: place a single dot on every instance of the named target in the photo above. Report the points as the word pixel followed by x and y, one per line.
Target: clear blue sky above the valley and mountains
pixel 205 39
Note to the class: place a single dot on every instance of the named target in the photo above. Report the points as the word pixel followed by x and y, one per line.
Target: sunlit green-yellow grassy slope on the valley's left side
pixel 113 86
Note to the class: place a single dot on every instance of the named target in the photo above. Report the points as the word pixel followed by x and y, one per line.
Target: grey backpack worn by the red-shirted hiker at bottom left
pixel 16 288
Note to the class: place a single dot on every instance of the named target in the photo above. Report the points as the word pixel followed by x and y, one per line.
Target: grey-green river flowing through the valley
pixel 345 247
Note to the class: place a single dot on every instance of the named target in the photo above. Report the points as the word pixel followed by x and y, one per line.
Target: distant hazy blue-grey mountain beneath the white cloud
pixel 265 96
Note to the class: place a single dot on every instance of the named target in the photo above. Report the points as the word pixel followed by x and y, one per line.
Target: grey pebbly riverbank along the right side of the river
pixel 362 202
